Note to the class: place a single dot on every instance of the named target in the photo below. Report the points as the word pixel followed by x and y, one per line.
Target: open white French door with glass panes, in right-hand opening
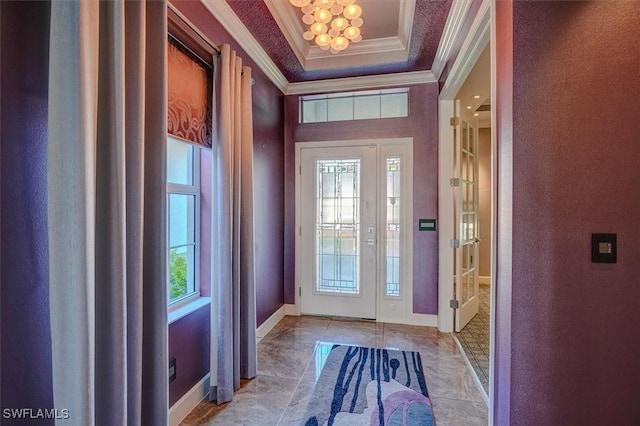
pixel 465 185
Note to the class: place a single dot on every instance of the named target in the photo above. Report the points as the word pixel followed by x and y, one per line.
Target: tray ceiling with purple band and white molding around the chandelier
pixel 405 40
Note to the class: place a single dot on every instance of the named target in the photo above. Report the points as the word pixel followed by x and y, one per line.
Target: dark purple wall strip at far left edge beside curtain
pixel 26 340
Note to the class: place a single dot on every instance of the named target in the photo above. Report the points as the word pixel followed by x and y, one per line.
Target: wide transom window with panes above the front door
pixel 370 104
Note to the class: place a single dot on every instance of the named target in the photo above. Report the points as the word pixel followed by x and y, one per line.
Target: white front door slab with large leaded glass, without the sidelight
pixel 338 228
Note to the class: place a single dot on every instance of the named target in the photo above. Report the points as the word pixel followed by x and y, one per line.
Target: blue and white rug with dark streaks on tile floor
pixel 368 386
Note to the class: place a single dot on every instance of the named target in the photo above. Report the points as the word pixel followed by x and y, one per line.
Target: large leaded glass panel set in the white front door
pixel 338 226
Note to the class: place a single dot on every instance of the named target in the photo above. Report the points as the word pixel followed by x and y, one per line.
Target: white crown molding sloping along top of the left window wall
pixel 230 21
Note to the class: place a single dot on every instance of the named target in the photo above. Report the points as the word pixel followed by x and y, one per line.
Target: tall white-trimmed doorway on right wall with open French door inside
pixel 466 275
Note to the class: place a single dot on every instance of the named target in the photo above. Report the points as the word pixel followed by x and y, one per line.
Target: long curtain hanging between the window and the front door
pixel 234 313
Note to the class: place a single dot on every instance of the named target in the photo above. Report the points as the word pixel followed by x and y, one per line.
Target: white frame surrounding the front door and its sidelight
pixel 400 310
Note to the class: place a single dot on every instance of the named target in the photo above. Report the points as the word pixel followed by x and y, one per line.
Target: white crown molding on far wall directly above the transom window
pixel 361 83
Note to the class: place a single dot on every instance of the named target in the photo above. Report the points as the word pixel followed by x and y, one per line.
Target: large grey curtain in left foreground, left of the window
pixel 107 211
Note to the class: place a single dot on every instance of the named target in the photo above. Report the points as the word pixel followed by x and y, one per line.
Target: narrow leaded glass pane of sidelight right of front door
pixel 392 228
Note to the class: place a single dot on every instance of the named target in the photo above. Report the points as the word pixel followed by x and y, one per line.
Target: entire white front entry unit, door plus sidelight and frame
pixel 354 242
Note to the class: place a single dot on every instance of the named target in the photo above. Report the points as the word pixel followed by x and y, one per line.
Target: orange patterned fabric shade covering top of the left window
pixel 189 85
